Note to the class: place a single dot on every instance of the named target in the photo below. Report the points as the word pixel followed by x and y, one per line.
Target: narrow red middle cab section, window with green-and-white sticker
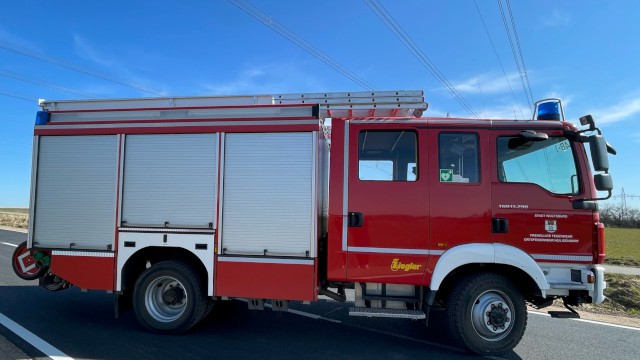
pixel 460 191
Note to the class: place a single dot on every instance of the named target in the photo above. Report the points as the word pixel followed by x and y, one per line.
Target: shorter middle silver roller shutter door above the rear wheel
pixel 170 178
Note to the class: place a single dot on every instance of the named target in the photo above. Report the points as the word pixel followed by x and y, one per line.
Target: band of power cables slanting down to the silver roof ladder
pixel 283 31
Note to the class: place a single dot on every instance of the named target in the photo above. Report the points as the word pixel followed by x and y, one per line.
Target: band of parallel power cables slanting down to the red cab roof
pixel 390 22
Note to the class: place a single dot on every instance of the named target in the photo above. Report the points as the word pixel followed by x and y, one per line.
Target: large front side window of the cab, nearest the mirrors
pixel 549 163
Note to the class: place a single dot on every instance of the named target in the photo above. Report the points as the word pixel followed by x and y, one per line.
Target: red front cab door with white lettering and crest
pixel 533 185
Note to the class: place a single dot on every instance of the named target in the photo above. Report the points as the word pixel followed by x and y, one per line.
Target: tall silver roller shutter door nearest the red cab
pixel 267 201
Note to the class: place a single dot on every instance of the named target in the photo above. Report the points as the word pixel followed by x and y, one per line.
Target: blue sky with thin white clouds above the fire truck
pixel 583 52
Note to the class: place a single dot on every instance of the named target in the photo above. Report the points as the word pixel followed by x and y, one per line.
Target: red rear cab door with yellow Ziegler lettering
pixel 387 233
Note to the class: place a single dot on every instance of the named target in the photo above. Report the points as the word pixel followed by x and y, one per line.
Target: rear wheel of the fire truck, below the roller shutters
pixel 168 297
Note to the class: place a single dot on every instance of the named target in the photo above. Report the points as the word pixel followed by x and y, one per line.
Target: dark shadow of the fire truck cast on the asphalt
pixel 82 325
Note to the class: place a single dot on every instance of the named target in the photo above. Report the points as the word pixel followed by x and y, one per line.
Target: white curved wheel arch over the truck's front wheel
pixel 509 261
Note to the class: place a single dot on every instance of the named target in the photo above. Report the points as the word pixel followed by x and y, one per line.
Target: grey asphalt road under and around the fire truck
pixel 82 326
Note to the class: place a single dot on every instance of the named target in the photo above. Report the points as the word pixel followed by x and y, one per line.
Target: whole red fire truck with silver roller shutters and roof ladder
pixel 175 203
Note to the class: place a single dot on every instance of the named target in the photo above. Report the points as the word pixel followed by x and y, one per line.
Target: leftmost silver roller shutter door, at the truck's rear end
pixel 76 192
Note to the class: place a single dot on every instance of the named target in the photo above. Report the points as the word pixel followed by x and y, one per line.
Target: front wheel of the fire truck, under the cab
pixel 487 314
